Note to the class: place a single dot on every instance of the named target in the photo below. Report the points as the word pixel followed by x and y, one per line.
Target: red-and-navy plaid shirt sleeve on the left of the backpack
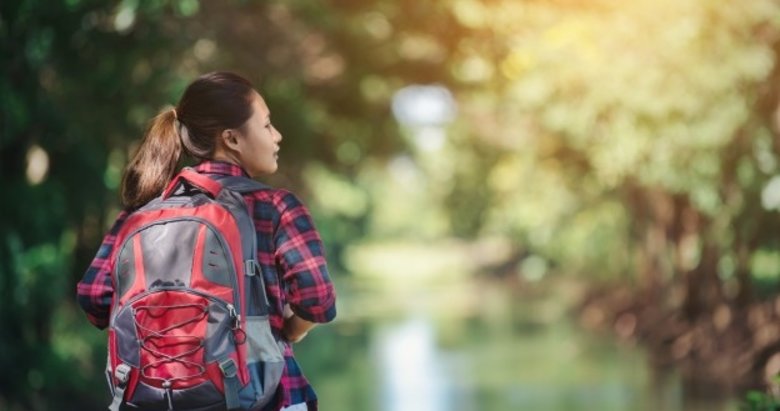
pixel 95 290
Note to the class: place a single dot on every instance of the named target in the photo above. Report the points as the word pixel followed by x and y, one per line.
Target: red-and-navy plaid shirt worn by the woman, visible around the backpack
pixel 288 244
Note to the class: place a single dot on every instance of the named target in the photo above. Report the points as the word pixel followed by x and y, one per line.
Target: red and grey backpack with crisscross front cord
pixel 189 327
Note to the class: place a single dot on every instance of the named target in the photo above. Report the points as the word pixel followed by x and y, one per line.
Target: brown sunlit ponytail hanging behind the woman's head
pixel 154 164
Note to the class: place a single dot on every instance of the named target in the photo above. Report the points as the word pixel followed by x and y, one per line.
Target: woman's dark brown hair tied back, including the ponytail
pixel 210 104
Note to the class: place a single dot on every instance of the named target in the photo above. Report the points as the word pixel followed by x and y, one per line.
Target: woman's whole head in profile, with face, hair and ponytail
pixel 219 116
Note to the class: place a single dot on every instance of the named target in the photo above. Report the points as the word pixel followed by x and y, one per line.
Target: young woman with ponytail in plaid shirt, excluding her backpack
pixel 223 122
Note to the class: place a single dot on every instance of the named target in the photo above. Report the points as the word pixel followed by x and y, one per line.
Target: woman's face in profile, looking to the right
pixel 258 141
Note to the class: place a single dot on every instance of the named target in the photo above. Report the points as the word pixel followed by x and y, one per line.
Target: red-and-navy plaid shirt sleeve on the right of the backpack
pixel 299 253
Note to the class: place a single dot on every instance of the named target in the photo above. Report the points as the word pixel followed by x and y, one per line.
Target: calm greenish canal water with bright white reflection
pixel 436 349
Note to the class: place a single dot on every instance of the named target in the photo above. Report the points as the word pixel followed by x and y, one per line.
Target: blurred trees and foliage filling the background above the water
pixel 616 140
